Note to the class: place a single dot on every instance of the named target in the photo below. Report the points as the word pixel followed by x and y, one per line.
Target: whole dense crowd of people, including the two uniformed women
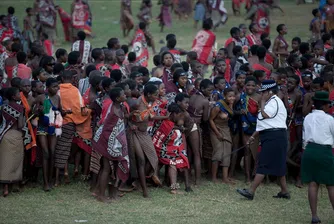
pixel 120 123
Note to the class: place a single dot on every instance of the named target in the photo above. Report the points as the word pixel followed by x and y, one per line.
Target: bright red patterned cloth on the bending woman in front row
pixel 169 145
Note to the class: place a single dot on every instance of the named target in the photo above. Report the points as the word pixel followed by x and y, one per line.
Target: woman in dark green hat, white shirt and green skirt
pixel 317 161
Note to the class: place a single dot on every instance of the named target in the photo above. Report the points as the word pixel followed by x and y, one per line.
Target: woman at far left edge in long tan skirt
pixel 11 144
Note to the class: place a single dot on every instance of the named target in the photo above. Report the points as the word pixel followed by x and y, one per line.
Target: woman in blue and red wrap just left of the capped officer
pixel 250 100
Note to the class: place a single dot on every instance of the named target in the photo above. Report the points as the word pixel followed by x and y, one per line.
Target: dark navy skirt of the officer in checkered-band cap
pixel 274 147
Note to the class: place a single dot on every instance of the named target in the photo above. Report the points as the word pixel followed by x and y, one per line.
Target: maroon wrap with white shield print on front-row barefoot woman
pixel 110 141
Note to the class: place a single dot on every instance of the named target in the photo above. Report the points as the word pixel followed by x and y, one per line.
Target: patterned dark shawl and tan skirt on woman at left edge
pixel 11 145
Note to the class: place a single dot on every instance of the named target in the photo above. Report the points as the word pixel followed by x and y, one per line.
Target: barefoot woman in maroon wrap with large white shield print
pixel 112 150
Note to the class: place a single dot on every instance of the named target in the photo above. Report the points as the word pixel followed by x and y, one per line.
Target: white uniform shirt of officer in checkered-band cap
pixel 277 113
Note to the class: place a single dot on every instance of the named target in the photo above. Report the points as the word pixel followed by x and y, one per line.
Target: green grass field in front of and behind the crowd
pixel 207 204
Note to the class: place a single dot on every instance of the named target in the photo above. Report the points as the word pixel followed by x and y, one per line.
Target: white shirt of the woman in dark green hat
pixel 318 128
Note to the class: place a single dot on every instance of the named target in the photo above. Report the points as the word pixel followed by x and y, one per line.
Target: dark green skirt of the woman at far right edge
pixel 318 164
